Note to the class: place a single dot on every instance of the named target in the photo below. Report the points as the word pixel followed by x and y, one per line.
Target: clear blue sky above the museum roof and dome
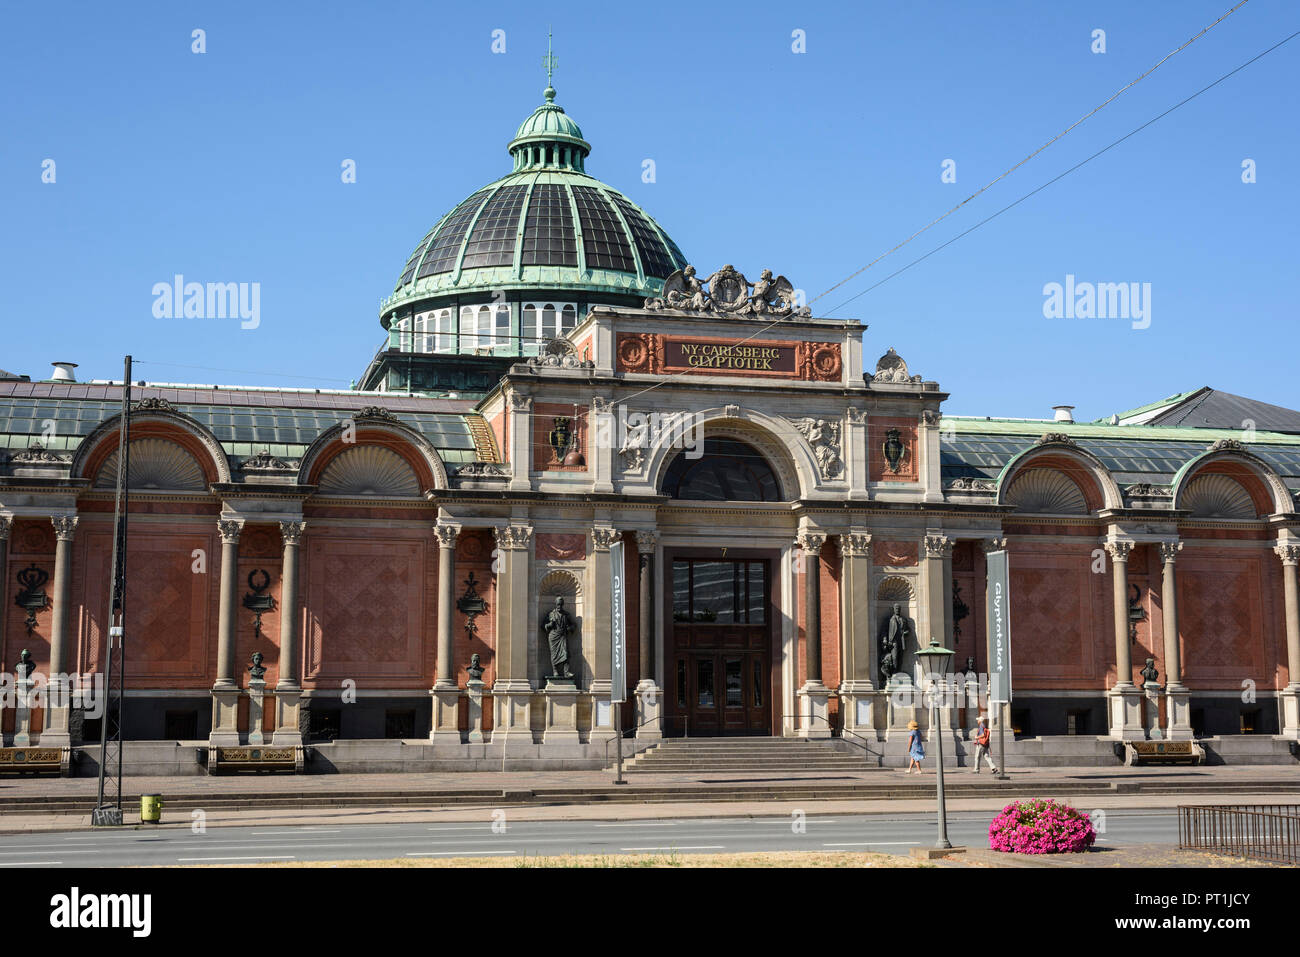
pixel 226 167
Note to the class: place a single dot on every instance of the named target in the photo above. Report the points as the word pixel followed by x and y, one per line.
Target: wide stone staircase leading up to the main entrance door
pixel 747 755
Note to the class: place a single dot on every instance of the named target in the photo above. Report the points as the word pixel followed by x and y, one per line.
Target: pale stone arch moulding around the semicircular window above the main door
pixel 781 444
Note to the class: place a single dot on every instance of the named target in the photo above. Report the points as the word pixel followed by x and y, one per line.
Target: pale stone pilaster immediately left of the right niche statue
pixel 859 653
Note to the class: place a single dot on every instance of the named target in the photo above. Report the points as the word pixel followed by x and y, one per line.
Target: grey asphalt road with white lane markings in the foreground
pixel 242 846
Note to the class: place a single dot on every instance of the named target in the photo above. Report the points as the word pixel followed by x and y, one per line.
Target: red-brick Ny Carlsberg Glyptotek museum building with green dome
pixel 558 379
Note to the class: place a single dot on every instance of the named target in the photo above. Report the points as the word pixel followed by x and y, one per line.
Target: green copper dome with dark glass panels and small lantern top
pixel 547 226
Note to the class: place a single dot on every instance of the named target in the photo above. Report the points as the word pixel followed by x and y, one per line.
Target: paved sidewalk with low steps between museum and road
pixel 483 793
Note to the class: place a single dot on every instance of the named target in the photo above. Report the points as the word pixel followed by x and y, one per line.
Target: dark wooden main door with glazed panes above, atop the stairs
pixel 720 669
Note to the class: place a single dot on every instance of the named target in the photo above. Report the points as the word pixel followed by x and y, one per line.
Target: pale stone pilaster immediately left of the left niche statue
pixel 513 692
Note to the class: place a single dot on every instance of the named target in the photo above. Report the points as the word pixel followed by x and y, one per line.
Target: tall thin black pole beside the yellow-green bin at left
pixel 109 808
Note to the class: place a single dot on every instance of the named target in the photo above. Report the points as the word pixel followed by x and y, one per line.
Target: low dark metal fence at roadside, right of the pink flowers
pixel 1258 832
